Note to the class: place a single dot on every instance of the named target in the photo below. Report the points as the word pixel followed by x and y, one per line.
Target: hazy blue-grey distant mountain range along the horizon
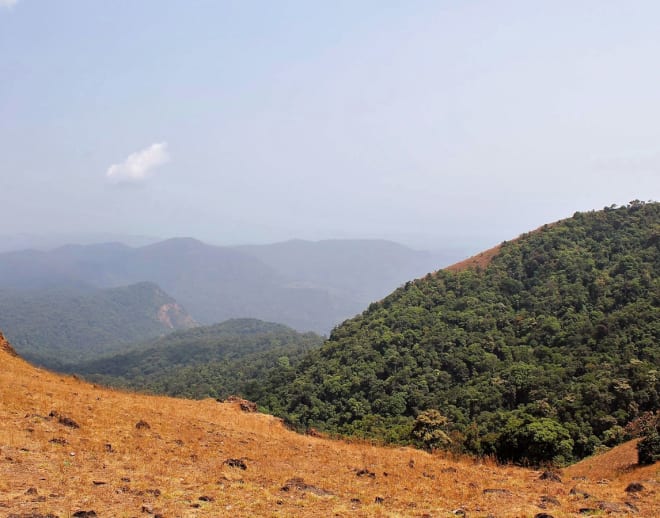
pixel 308 286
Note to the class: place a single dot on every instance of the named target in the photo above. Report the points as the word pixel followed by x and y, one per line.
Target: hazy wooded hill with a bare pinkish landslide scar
pixel 55 325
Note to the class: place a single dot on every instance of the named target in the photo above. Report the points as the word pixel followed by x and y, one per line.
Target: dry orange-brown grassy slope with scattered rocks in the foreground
pixel 189 460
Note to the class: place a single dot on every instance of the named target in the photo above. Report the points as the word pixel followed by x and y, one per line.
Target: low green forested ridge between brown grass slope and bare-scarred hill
pixel 234 357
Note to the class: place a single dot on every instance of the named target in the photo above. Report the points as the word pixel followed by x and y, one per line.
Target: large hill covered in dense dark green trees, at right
pixel 545 353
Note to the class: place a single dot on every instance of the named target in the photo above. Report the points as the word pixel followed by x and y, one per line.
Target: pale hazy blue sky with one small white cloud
pixel 434 122
